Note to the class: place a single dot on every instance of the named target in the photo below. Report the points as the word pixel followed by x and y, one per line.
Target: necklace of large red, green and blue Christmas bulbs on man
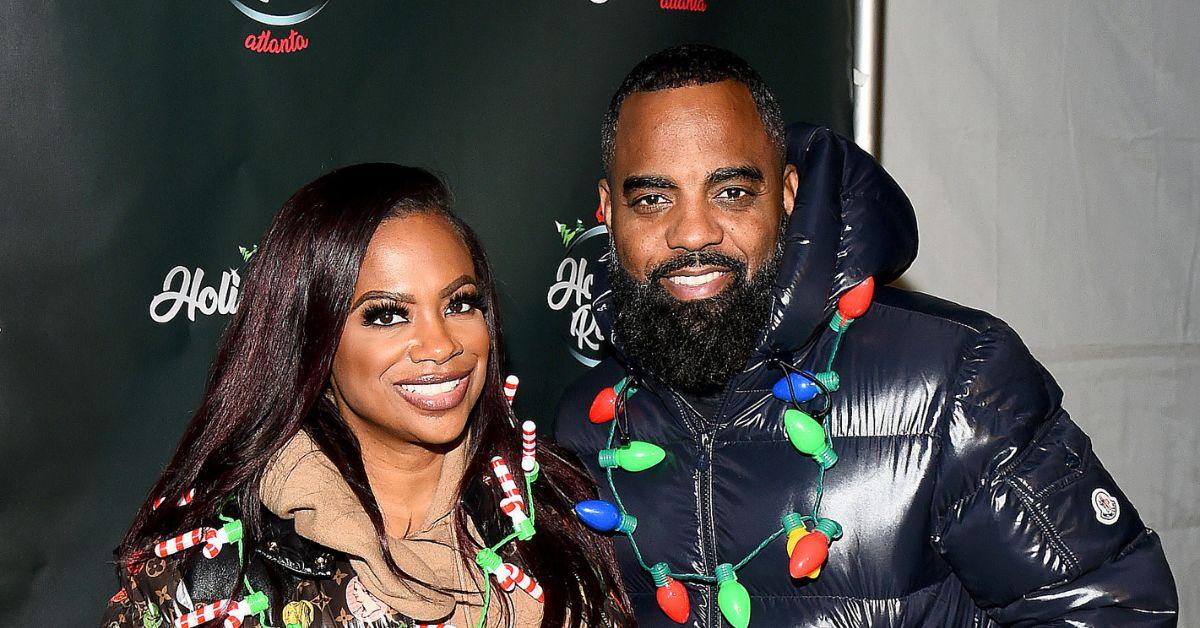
pixel 808 536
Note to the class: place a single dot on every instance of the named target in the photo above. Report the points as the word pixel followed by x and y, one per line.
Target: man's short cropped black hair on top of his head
pixel 694 64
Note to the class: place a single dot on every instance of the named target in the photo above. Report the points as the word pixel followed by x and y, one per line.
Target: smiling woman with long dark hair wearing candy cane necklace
pixel 339 469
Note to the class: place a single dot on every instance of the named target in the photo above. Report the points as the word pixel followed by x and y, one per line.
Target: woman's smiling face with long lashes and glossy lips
pixel 413 354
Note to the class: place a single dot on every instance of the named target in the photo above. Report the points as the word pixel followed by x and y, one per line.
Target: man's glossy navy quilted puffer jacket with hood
pixel 967 494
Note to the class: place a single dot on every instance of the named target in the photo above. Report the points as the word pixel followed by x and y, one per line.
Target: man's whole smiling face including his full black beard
pixel 695 202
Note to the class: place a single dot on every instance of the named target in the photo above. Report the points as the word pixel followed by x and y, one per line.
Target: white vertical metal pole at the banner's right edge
pixel 868 19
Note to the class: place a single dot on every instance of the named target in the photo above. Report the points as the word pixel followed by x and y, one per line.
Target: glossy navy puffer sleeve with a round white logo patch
pixel 1028 517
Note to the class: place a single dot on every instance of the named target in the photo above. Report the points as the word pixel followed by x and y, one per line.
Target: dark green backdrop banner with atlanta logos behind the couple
pixel 146 146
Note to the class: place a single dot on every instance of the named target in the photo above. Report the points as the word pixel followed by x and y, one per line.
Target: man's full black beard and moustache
pixel 697 346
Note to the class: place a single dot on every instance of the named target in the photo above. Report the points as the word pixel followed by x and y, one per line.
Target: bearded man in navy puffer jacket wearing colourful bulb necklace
pixel 962 493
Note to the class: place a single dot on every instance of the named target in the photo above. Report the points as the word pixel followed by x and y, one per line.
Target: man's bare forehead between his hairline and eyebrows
pixel 673 128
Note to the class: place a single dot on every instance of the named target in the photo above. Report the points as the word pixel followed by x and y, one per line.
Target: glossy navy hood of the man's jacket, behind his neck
pixel 850 222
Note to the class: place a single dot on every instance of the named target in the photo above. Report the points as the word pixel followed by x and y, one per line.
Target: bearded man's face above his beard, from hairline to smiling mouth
pixel 694 171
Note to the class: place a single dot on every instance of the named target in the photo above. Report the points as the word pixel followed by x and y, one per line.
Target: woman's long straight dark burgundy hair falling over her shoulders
pixel 273 368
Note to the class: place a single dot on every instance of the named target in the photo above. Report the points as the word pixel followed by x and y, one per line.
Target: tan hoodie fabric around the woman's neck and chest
pixel 303 485
